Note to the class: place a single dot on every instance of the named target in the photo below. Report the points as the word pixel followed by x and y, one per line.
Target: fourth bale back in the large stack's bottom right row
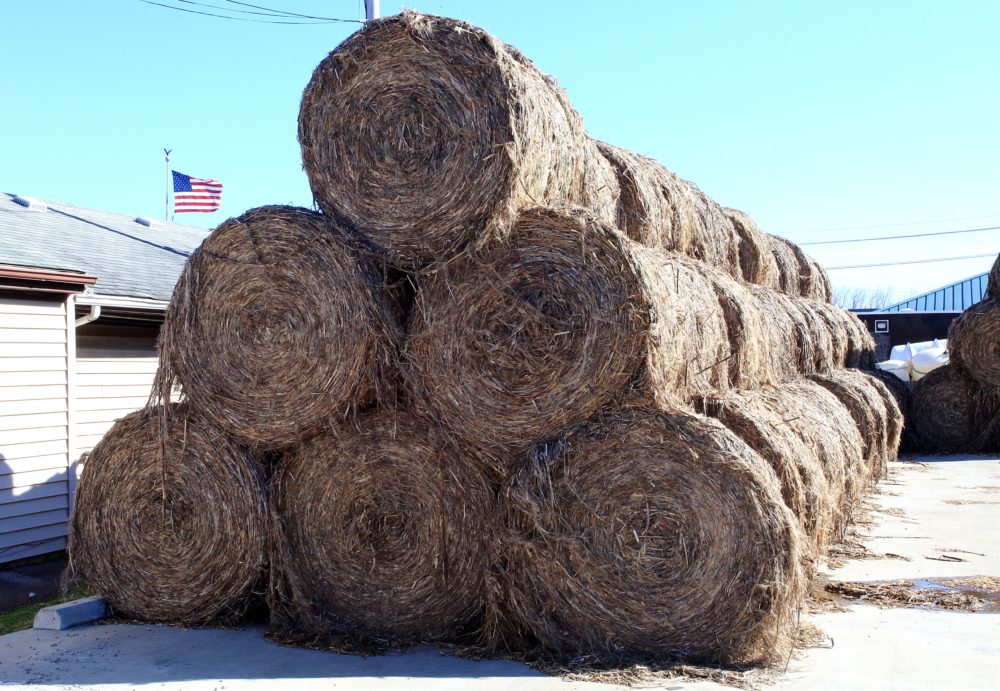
pixel 859 396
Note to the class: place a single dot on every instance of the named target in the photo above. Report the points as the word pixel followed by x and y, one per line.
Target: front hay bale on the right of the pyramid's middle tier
pixel 511 345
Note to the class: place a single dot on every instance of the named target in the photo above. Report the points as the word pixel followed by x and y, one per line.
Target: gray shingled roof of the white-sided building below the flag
pixel 128 258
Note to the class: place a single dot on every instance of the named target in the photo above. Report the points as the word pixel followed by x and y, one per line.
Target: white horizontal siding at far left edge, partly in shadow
pixel 36 359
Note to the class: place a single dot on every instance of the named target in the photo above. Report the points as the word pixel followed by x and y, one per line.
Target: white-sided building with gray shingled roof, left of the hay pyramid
pixel 83 293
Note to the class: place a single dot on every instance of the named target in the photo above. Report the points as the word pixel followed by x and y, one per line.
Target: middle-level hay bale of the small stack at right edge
pixel 974 342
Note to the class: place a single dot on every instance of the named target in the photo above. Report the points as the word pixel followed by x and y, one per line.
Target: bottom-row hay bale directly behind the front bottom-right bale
pixel 757 417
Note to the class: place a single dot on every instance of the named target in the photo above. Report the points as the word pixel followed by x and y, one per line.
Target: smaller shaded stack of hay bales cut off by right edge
pixel 956 408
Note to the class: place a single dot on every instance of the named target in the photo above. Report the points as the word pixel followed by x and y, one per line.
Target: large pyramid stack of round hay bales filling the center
pixel 512 388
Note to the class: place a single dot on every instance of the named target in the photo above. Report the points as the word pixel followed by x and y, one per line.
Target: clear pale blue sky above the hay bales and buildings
pixel 820 120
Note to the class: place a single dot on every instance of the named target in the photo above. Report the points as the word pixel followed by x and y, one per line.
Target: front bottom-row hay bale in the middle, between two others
pixel 381 536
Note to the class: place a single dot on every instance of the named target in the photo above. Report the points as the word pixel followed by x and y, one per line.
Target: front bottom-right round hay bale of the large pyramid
pixel 649 534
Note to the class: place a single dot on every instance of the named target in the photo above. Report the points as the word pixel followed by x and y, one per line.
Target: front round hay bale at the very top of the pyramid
pixel 427 134
